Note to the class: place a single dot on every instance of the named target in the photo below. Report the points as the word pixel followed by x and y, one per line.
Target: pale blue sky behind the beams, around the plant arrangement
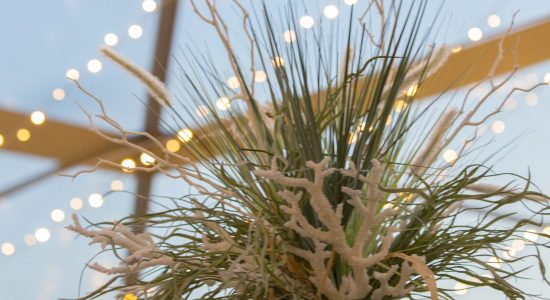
pixel 41 40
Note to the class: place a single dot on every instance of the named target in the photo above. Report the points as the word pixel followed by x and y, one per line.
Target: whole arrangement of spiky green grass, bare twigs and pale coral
pixel 333 186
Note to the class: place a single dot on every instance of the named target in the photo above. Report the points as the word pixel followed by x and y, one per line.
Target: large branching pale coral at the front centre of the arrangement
pixel 357 284
